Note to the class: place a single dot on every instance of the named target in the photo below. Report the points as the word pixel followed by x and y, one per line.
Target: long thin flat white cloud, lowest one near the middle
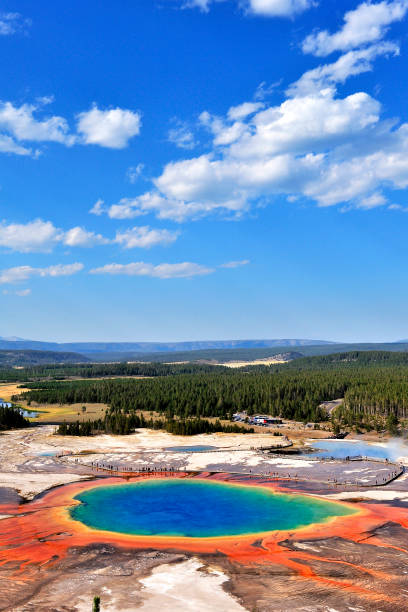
pixel 164 270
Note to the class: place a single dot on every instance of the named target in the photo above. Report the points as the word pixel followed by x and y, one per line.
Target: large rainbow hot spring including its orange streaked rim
pixel 236 521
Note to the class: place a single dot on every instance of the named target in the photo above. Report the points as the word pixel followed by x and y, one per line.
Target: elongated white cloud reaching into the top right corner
pixel 365 24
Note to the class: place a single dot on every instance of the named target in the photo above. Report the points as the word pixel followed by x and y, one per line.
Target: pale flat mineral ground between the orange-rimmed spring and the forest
pixel 28 463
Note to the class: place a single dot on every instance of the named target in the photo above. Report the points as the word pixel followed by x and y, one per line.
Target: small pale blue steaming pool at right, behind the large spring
pixel 343 448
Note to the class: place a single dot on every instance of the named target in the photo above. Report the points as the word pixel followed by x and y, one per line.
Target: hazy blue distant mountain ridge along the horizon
pixel 151 347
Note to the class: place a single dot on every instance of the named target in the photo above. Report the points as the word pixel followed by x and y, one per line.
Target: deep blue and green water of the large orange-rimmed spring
pixel 195 508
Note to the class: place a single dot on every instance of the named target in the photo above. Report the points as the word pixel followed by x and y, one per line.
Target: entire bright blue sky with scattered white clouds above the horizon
pixel 204 169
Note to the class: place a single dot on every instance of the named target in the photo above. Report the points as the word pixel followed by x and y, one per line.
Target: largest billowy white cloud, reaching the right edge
pixel 313 145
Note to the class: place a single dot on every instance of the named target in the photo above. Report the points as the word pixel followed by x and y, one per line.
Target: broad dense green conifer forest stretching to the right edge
pixel 373 388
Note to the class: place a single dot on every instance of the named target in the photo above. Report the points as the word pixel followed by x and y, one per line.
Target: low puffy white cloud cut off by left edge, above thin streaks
pixel 36 235
